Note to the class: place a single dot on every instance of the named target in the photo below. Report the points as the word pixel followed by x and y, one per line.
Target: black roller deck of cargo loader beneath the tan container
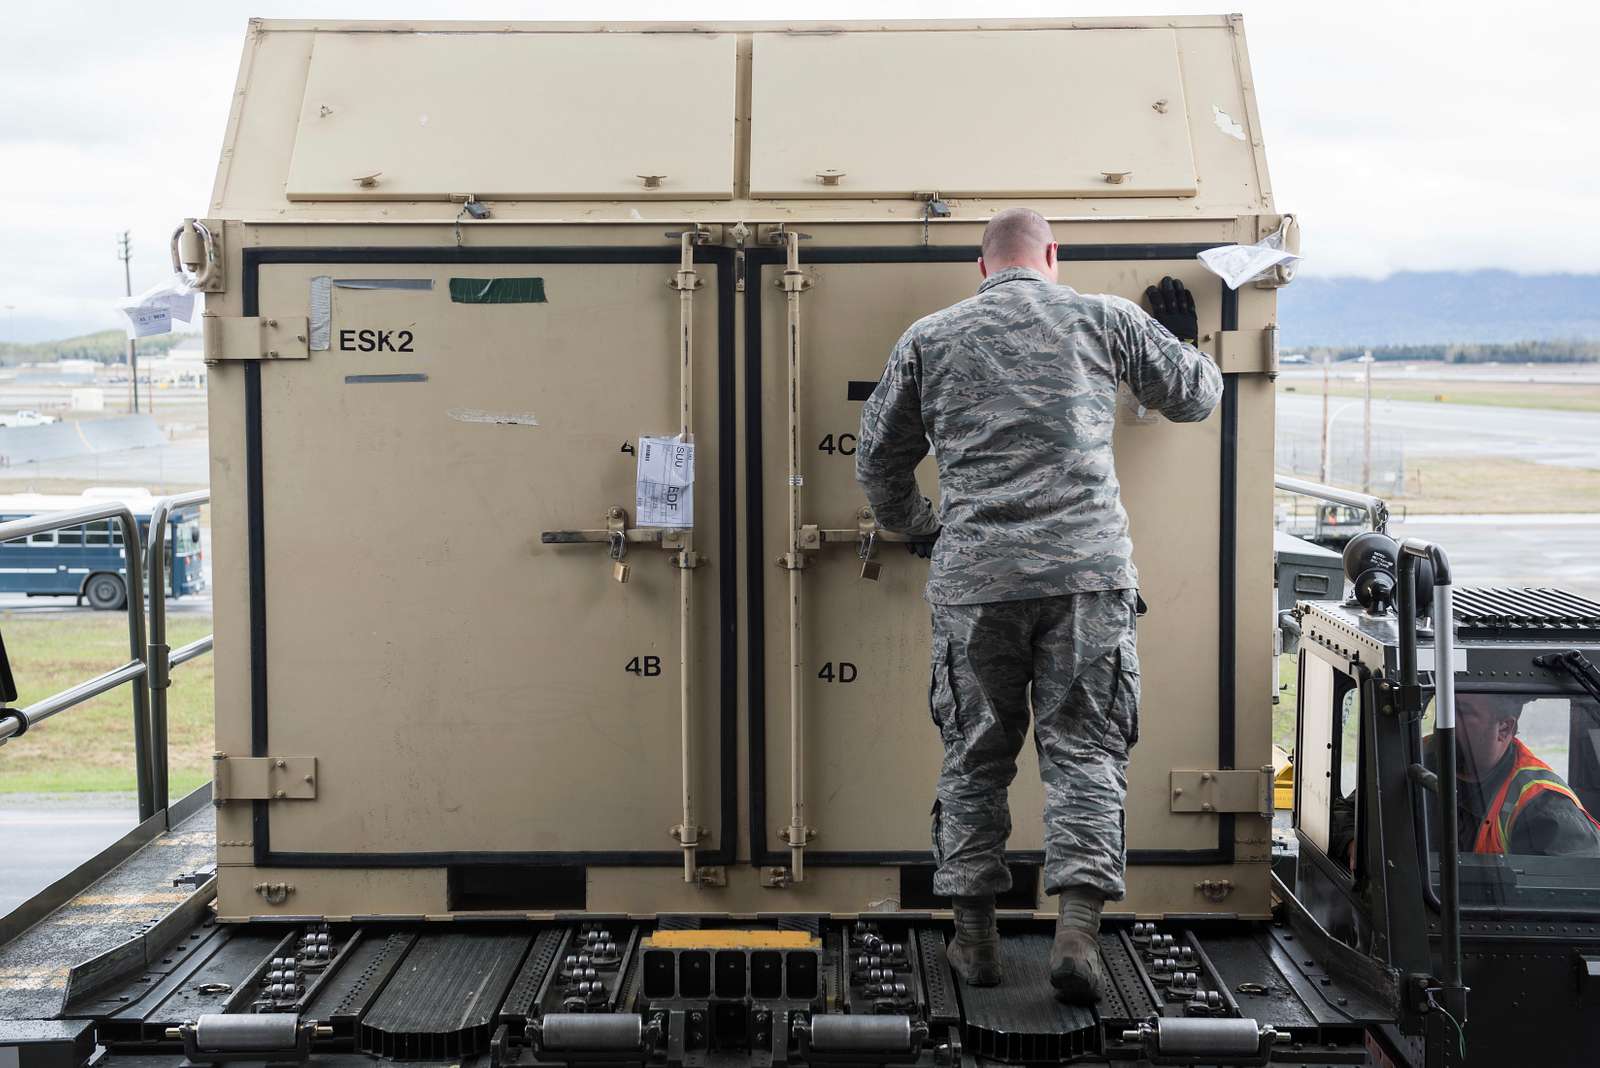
pixel 169 986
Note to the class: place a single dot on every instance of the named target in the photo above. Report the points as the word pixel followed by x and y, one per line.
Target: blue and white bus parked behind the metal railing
pixel 89 562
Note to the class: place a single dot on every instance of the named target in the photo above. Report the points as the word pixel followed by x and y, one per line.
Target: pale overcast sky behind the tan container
pixel 1406 135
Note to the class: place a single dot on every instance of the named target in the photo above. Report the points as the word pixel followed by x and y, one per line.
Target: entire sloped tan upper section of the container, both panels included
pixel 844 121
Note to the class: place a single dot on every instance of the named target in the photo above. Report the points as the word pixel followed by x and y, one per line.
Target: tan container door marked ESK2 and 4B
pixel 481 693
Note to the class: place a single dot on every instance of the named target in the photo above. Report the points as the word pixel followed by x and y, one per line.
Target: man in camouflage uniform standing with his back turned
pixel 1033 584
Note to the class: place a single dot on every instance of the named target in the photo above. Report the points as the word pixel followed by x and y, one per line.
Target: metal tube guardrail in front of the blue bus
pixel 150 663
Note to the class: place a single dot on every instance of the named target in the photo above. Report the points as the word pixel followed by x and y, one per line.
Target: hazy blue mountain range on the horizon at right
pixel 1439 306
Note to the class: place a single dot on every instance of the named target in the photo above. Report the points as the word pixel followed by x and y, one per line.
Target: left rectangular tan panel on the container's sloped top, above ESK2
pixel 516 118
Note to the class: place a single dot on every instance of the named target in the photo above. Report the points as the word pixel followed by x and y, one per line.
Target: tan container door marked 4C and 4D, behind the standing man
pixel 871 754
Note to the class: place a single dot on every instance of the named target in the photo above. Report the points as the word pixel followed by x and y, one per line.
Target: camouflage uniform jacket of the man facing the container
pixel 1017 393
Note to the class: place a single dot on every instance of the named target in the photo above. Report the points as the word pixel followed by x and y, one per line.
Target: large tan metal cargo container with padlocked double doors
pixel 455 273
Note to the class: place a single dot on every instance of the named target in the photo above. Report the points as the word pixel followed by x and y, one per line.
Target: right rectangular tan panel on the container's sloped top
pixel 1006 114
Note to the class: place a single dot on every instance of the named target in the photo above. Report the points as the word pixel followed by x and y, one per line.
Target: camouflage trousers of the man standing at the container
pixel 1071 663
